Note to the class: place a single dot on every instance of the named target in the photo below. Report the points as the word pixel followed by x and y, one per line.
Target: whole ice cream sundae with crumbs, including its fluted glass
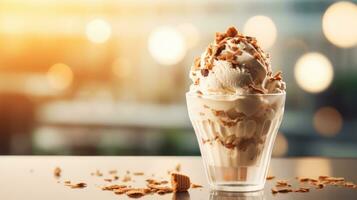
pixel 236 105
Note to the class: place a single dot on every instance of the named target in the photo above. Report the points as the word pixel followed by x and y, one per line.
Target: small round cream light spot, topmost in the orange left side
pixel 98 31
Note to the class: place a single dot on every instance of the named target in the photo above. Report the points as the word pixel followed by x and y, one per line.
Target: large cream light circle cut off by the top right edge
pixel 339 24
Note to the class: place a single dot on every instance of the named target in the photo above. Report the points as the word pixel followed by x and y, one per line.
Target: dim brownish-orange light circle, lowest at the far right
pixel 327 121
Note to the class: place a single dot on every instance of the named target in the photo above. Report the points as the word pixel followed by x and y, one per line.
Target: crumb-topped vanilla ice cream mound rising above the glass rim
pixel 234 64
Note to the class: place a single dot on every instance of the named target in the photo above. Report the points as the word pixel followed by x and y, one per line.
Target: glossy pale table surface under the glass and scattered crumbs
pixel 31 177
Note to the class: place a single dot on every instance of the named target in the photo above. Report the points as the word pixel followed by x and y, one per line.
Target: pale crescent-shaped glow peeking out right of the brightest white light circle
pixel 191 34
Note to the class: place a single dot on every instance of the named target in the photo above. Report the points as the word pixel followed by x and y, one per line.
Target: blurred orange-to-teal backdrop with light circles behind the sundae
pixel 108 77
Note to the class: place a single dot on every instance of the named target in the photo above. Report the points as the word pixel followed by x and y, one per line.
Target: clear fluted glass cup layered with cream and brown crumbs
pixel 236 135
